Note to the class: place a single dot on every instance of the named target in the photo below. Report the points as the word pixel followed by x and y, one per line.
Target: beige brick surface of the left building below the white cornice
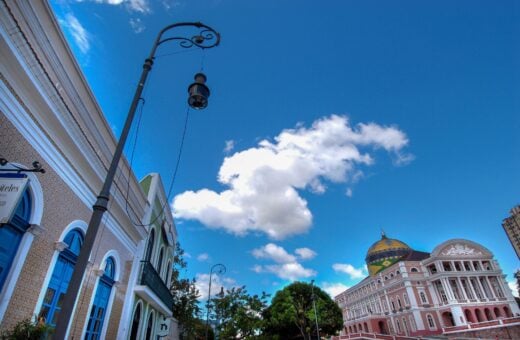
pixel 61 208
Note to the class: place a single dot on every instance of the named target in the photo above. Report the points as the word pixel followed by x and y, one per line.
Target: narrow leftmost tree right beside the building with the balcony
pixel 185 297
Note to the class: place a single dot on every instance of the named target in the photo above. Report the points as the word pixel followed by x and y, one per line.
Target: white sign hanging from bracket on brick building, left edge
pixel 12 187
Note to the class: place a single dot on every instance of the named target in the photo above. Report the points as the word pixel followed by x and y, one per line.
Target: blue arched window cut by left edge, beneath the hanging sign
pixel 11 234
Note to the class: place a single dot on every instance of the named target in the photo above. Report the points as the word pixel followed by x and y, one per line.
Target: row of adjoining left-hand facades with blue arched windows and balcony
pixel 48 114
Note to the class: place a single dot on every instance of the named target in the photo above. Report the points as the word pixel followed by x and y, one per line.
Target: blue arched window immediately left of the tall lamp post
pixel 60 278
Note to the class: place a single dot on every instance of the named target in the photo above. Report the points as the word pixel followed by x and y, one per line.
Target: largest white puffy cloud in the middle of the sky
pixel 263 181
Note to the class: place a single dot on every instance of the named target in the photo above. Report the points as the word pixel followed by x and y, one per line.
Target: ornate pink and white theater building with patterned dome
pixel 457 287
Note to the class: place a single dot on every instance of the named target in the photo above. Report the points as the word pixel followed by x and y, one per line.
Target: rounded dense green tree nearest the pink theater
pixel 291 313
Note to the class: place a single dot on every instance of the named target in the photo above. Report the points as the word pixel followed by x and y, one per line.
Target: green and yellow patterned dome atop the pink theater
pixel 385 253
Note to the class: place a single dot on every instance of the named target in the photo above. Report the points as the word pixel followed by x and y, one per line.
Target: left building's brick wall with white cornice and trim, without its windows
pixel 48 114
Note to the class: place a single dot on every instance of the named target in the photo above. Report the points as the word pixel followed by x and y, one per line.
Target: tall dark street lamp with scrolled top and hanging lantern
pixel 206 37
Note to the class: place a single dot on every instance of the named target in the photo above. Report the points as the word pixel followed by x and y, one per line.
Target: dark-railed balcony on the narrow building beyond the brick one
pixel 152 288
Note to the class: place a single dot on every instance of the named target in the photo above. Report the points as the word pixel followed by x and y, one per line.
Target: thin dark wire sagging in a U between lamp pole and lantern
pixel 174 174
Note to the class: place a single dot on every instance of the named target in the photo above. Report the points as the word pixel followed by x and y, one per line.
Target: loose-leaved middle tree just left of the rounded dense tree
pixel 238 314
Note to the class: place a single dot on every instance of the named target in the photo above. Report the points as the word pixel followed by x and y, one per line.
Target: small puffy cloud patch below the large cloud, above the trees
pixel 286 265
